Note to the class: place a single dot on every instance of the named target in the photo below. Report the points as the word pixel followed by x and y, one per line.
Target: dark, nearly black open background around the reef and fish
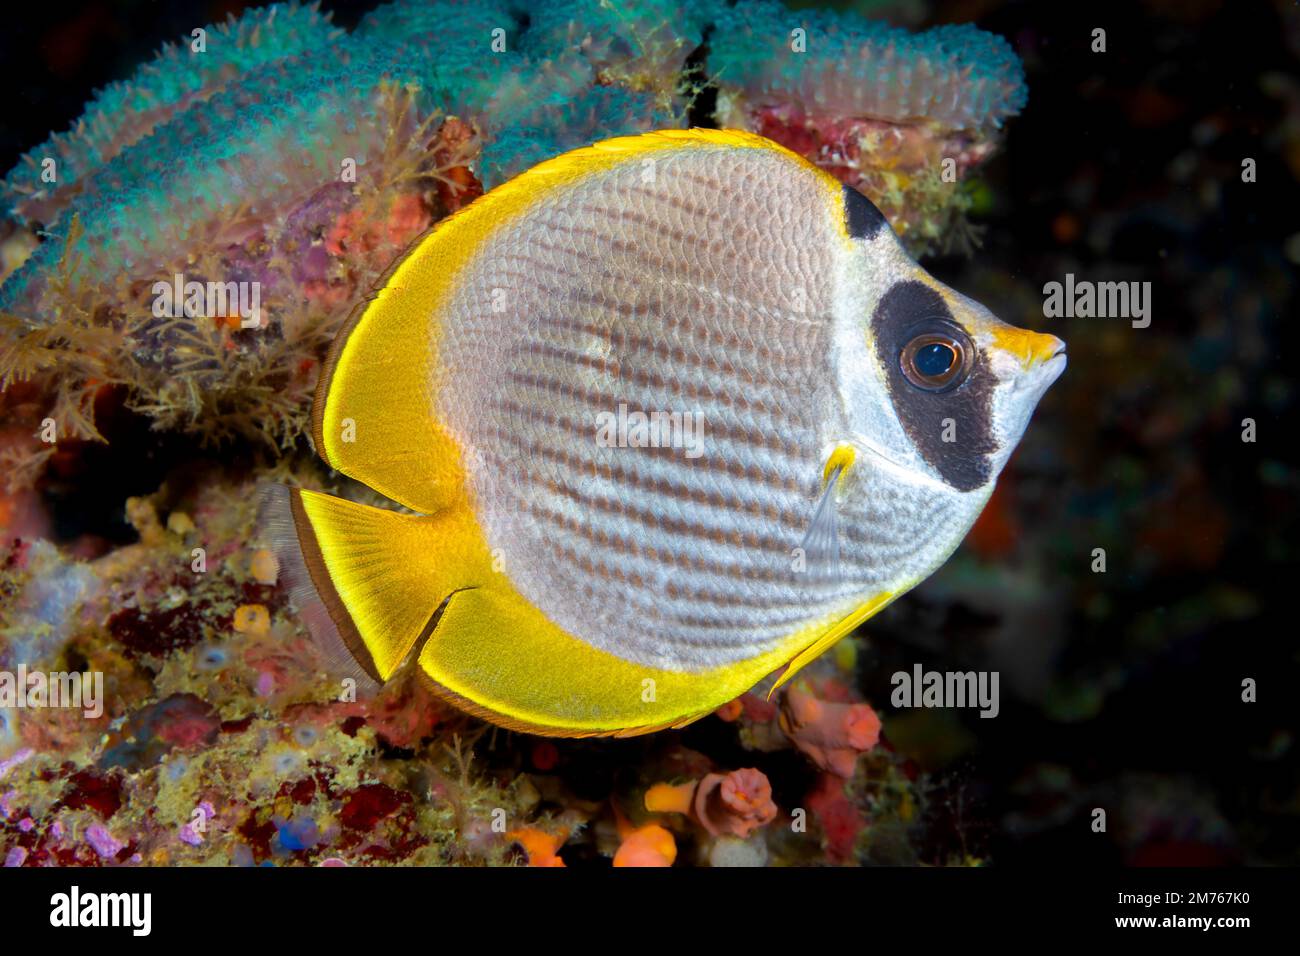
pixel 1120 690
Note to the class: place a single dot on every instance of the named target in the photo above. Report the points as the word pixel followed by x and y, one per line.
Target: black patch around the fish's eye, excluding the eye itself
pixel 963 414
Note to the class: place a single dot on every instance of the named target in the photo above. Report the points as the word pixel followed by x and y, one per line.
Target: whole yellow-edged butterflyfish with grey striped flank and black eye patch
pixel 673 412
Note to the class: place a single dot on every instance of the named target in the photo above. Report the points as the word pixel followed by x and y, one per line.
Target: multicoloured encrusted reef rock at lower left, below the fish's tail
pixel 219 742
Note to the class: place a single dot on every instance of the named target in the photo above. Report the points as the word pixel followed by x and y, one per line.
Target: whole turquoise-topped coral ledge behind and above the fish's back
pixel 233 163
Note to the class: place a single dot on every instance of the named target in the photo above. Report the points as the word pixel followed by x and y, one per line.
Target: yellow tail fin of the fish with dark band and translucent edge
pixel 380 576
